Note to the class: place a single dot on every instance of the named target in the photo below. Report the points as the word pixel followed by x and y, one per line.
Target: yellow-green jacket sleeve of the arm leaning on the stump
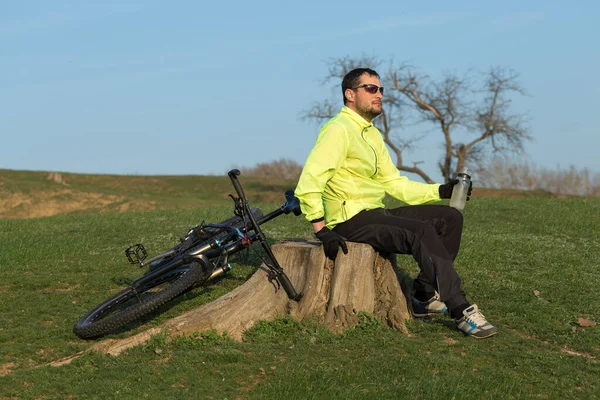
pixel 323 161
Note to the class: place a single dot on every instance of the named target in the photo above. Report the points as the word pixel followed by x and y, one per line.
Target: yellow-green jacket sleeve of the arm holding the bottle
pixel 399 186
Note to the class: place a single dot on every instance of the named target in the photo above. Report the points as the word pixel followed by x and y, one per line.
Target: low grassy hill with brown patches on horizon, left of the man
pixel 30 194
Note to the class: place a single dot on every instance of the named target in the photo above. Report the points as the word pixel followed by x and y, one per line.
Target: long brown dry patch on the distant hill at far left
pixel 49 203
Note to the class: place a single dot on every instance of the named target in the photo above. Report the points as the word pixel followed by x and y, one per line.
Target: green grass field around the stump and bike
pixel 530 264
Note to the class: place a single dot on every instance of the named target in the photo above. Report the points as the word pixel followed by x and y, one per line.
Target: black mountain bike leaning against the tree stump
pixel 201 256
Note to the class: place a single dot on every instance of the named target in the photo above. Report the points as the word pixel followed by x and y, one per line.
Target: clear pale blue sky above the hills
pixel 190 87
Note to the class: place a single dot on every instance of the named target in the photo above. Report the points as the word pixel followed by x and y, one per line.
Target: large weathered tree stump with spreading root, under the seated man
pixel 362 280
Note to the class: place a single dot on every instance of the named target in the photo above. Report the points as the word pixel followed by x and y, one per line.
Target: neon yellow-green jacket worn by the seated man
pixel 350 170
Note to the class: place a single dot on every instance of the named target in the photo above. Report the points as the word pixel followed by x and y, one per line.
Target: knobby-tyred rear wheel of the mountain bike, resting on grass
pixel 131 304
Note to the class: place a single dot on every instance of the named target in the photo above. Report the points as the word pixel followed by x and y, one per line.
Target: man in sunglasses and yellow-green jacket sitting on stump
pixel 341 190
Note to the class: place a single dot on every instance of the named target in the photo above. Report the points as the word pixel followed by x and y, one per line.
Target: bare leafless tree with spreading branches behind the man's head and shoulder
pixel 455 105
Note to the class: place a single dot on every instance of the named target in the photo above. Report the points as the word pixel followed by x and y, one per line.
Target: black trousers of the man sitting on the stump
pixel 431 233
